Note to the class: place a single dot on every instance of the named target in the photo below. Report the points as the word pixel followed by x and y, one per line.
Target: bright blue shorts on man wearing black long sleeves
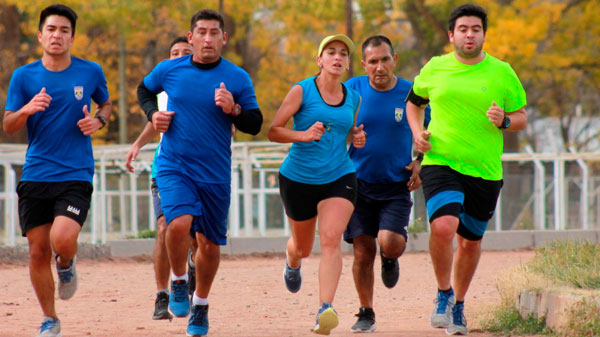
pixel 208 203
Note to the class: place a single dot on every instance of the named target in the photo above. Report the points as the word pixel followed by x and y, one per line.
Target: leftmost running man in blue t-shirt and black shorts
pixel 52 97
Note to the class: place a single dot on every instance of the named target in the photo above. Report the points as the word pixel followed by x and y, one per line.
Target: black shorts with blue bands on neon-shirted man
pixel 472 200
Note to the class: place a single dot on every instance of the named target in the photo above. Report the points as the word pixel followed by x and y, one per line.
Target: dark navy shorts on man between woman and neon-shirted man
pixel 380 206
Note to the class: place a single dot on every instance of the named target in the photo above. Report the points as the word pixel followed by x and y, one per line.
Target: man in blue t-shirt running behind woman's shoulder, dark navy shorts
pixel 386 175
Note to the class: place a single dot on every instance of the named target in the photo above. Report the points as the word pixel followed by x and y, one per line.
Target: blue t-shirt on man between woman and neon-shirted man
pixel 389 140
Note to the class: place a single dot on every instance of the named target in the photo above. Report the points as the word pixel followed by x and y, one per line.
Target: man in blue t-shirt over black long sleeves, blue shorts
pixel 207 94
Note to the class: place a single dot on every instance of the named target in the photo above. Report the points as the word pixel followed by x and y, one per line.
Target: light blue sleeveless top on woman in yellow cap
pixel 326 160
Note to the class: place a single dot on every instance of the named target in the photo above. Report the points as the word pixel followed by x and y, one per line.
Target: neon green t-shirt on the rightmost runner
pixel 462 137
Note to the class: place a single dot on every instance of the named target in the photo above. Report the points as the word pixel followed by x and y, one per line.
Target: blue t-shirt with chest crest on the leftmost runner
pixel 58 150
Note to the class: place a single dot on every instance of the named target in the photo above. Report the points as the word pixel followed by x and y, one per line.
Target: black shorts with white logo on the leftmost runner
pixel 41 202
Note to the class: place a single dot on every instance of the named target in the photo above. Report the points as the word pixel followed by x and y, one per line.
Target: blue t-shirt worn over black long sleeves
pixel 198 141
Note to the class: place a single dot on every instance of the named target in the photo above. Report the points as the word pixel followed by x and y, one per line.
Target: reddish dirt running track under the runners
pixel 116 298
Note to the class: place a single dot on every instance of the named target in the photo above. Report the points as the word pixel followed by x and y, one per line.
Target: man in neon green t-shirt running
pixel 473 97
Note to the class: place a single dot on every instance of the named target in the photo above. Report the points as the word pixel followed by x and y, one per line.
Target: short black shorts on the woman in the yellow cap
pixel 300 200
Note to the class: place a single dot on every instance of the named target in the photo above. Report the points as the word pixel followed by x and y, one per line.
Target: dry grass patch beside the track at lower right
pixel 571 267
